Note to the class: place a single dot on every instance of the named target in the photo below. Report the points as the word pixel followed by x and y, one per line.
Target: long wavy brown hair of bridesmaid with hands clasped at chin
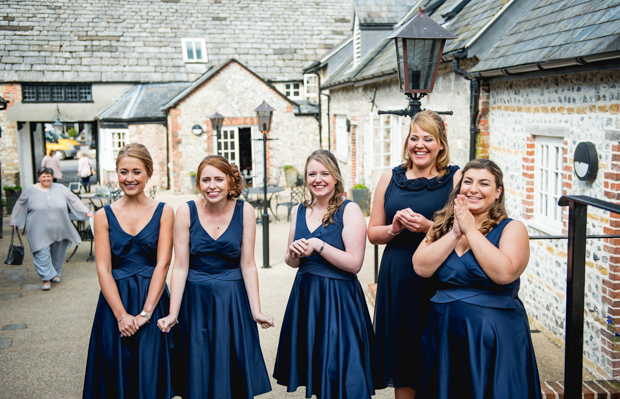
pixel 444 218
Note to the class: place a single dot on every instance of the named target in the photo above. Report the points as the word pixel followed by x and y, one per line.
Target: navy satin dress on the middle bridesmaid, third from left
pixel 326 338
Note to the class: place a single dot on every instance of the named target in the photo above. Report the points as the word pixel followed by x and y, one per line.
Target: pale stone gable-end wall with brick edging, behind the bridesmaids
pixel 235 93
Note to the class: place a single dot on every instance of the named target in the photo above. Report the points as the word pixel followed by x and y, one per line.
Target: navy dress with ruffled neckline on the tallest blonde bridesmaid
pixel 403 298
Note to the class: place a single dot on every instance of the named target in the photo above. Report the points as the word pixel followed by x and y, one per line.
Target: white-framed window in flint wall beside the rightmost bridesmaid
pixel 548 182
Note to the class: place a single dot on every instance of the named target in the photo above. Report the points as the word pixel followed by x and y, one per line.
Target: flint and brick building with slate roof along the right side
pixel 527 82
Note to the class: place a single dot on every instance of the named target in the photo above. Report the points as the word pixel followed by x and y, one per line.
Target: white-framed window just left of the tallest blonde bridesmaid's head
pixel 386 141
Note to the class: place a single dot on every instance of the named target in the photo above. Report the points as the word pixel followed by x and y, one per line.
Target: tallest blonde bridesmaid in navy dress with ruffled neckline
pixel 405 200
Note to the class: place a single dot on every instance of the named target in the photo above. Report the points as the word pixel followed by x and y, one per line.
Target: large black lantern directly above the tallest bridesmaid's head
pixel 419 46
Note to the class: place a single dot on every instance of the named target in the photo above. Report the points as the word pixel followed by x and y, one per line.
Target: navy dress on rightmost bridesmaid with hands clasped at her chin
pixel 477 341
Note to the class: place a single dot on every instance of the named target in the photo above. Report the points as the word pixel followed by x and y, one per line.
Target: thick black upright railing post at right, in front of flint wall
pixel 575 282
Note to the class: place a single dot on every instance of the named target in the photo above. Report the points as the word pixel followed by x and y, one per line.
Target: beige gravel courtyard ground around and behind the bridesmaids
pixel 47 358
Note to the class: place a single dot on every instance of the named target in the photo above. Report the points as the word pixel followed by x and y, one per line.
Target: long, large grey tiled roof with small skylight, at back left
pixel 140 41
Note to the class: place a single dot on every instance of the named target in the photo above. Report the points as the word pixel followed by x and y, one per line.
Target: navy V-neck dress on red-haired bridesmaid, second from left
pixel 217 348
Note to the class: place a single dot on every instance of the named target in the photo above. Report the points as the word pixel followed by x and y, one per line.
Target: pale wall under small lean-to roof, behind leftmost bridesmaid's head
pixel 154 137
